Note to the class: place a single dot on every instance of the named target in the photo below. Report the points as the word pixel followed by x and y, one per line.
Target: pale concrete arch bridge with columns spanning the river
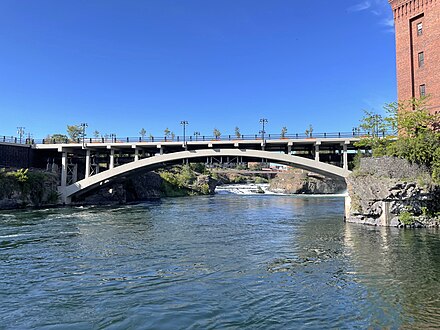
pixel 89 165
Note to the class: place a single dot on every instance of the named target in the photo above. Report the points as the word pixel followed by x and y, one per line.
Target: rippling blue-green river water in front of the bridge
pixel 218 262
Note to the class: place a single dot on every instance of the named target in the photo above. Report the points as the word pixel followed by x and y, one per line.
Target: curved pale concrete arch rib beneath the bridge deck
pixel 151 163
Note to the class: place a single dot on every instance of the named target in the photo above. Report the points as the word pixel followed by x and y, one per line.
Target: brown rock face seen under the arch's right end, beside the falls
pixel 301 182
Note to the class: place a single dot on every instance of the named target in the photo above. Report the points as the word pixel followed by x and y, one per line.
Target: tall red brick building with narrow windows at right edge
pixel 417 24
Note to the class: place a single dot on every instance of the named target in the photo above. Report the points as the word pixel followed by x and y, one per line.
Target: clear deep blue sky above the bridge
pixel 122 65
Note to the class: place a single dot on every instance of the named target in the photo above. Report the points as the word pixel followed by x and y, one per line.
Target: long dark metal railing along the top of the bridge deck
pixel 200 138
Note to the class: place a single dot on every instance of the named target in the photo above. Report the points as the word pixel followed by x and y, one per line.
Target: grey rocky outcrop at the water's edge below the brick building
pixel 392 192
